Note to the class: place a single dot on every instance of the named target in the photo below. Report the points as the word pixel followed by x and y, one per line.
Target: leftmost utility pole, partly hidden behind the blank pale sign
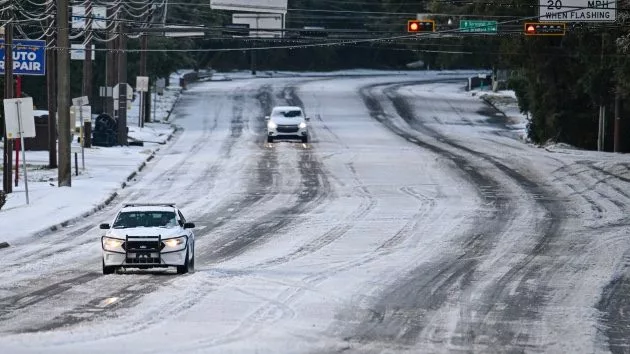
pixel 8 93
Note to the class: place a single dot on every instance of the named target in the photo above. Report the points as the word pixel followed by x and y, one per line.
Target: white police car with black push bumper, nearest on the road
pixel 148 235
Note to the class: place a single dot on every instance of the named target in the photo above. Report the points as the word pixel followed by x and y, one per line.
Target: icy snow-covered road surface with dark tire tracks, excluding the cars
pixel 415 221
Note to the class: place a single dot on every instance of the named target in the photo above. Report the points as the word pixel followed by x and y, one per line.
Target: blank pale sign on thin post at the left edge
pixel 20 123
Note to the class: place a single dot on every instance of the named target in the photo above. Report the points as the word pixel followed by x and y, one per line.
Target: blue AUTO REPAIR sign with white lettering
pixel 29 57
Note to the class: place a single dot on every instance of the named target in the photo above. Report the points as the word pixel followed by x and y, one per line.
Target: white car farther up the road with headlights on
pixel 287 122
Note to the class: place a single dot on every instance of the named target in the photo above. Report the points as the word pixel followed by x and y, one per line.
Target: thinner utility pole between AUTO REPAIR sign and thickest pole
pixel 51 87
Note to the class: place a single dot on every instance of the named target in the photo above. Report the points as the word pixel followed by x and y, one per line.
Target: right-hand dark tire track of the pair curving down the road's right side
pixel 505 301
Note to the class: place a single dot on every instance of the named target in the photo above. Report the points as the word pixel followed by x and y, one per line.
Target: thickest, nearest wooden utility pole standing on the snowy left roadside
pixel 63 94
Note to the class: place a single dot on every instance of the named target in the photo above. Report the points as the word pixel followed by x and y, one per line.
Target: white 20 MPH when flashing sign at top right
pixel 577 10
